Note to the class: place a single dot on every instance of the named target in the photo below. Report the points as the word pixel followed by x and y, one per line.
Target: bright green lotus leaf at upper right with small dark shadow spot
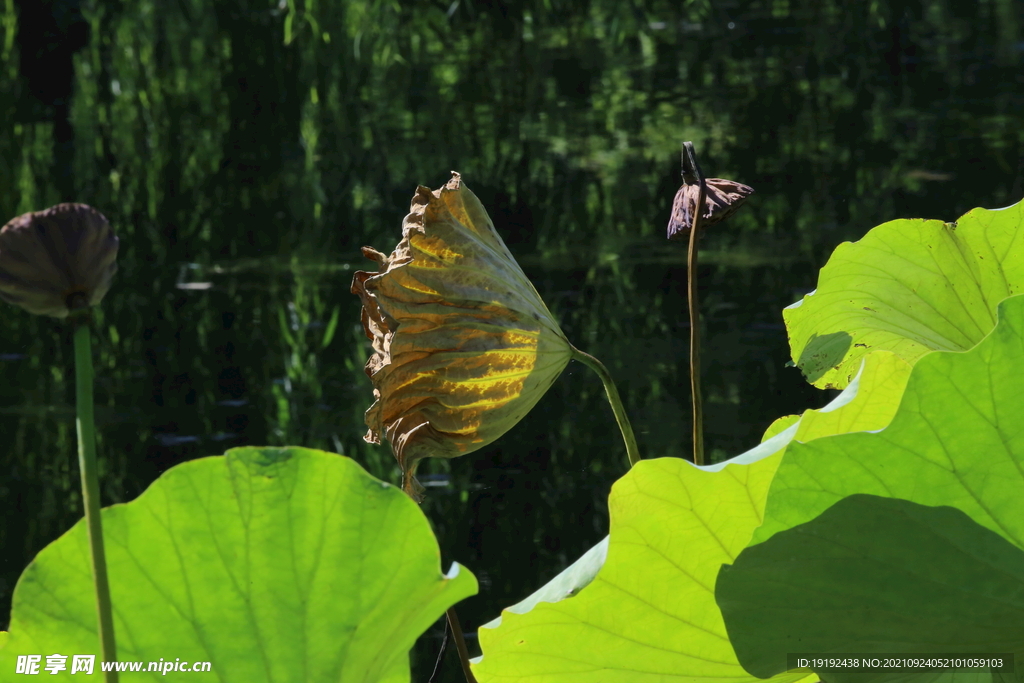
pixel 910 287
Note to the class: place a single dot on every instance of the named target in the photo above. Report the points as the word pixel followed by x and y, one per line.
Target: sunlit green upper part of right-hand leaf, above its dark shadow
pixel 957 440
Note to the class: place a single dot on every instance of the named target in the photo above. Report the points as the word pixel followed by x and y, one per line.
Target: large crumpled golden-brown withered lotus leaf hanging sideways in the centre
pixel 463 346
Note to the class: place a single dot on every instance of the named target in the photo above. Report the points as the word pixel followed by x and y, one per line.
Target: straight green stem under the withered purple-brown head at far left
pixel 91 490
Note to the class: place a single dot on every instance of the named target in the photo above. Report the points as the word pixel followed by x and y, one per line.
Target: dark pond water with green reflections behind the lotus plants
pixel 243 175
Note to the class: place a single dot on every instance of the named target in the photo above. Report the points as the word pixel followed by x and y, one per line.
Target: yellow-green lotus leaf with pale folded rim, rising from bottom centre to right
pixel 868 404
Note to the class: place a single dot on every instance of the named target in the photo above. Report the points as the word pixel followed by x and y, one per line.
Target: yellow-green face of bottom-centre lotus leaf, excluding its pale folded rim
pixel 650 615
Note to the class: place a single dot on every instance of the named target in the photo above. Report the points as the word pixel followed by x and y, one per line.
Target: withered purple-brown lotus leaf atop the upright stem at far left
pixel 57 260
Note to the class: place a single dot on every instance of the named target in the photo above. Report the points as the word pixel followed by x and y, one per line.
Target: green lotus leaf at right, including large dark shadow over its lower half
pixel 952 574
